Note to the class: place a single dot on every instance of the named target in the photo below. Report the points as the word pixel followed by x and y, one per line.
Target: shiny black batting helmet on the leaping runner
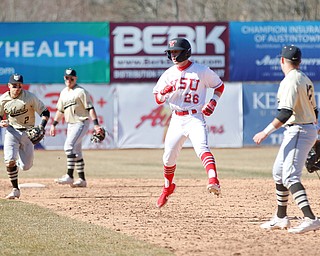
pixel 179 43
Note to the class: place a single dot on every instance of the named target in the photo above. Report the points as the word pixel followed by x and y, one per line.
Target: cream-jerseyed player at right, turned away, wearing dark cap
pixel 298 114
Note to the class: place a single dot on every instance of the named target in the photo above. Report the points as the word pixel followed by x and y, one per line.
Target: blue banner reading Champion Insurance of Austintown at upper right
pixel 255 49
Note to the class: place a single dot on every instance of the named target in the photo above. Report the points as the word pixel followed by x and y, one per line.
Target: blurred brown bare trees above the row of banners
pixel 158 10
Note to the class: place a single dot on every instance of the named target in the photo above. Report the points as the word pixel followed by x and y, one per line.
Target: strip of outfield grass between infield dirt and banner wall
pixel 147 163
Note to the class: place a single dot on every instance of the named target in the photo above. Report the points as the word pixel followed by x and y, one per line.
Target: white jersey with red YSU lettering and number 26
pixel 190 85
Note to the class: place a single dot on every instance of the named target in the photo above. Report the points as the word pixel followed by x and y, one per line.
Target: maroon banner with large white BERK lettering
pixel 138 49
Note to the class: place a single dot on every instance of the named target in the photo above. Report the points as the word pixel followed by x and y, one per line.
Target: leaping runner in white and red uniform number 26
pixel 184 86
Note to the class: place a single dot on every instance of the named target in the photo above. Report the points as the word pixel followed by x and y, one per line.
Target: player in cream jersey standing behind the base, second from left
pixel 75 105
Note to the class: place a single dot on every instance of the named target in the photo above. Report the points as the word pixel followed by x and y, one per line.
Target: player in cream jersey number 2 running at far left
pixel 19 107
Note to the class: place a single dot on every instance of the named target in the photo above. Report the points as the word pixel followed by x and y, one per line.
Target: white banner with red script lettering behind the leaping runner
pixel 143 123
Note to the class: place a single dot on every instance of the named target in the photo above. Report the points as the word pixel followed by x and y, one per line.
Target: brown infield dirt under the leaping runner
pixel 192 223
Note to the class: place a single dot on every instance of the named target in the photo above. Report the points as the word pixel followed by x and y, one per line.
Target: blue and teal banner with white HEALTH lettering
pixel 42 51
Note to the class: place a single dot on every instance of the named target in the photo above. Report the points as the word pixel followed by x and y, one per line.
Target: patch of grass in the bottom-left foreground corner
pixel 28 229
